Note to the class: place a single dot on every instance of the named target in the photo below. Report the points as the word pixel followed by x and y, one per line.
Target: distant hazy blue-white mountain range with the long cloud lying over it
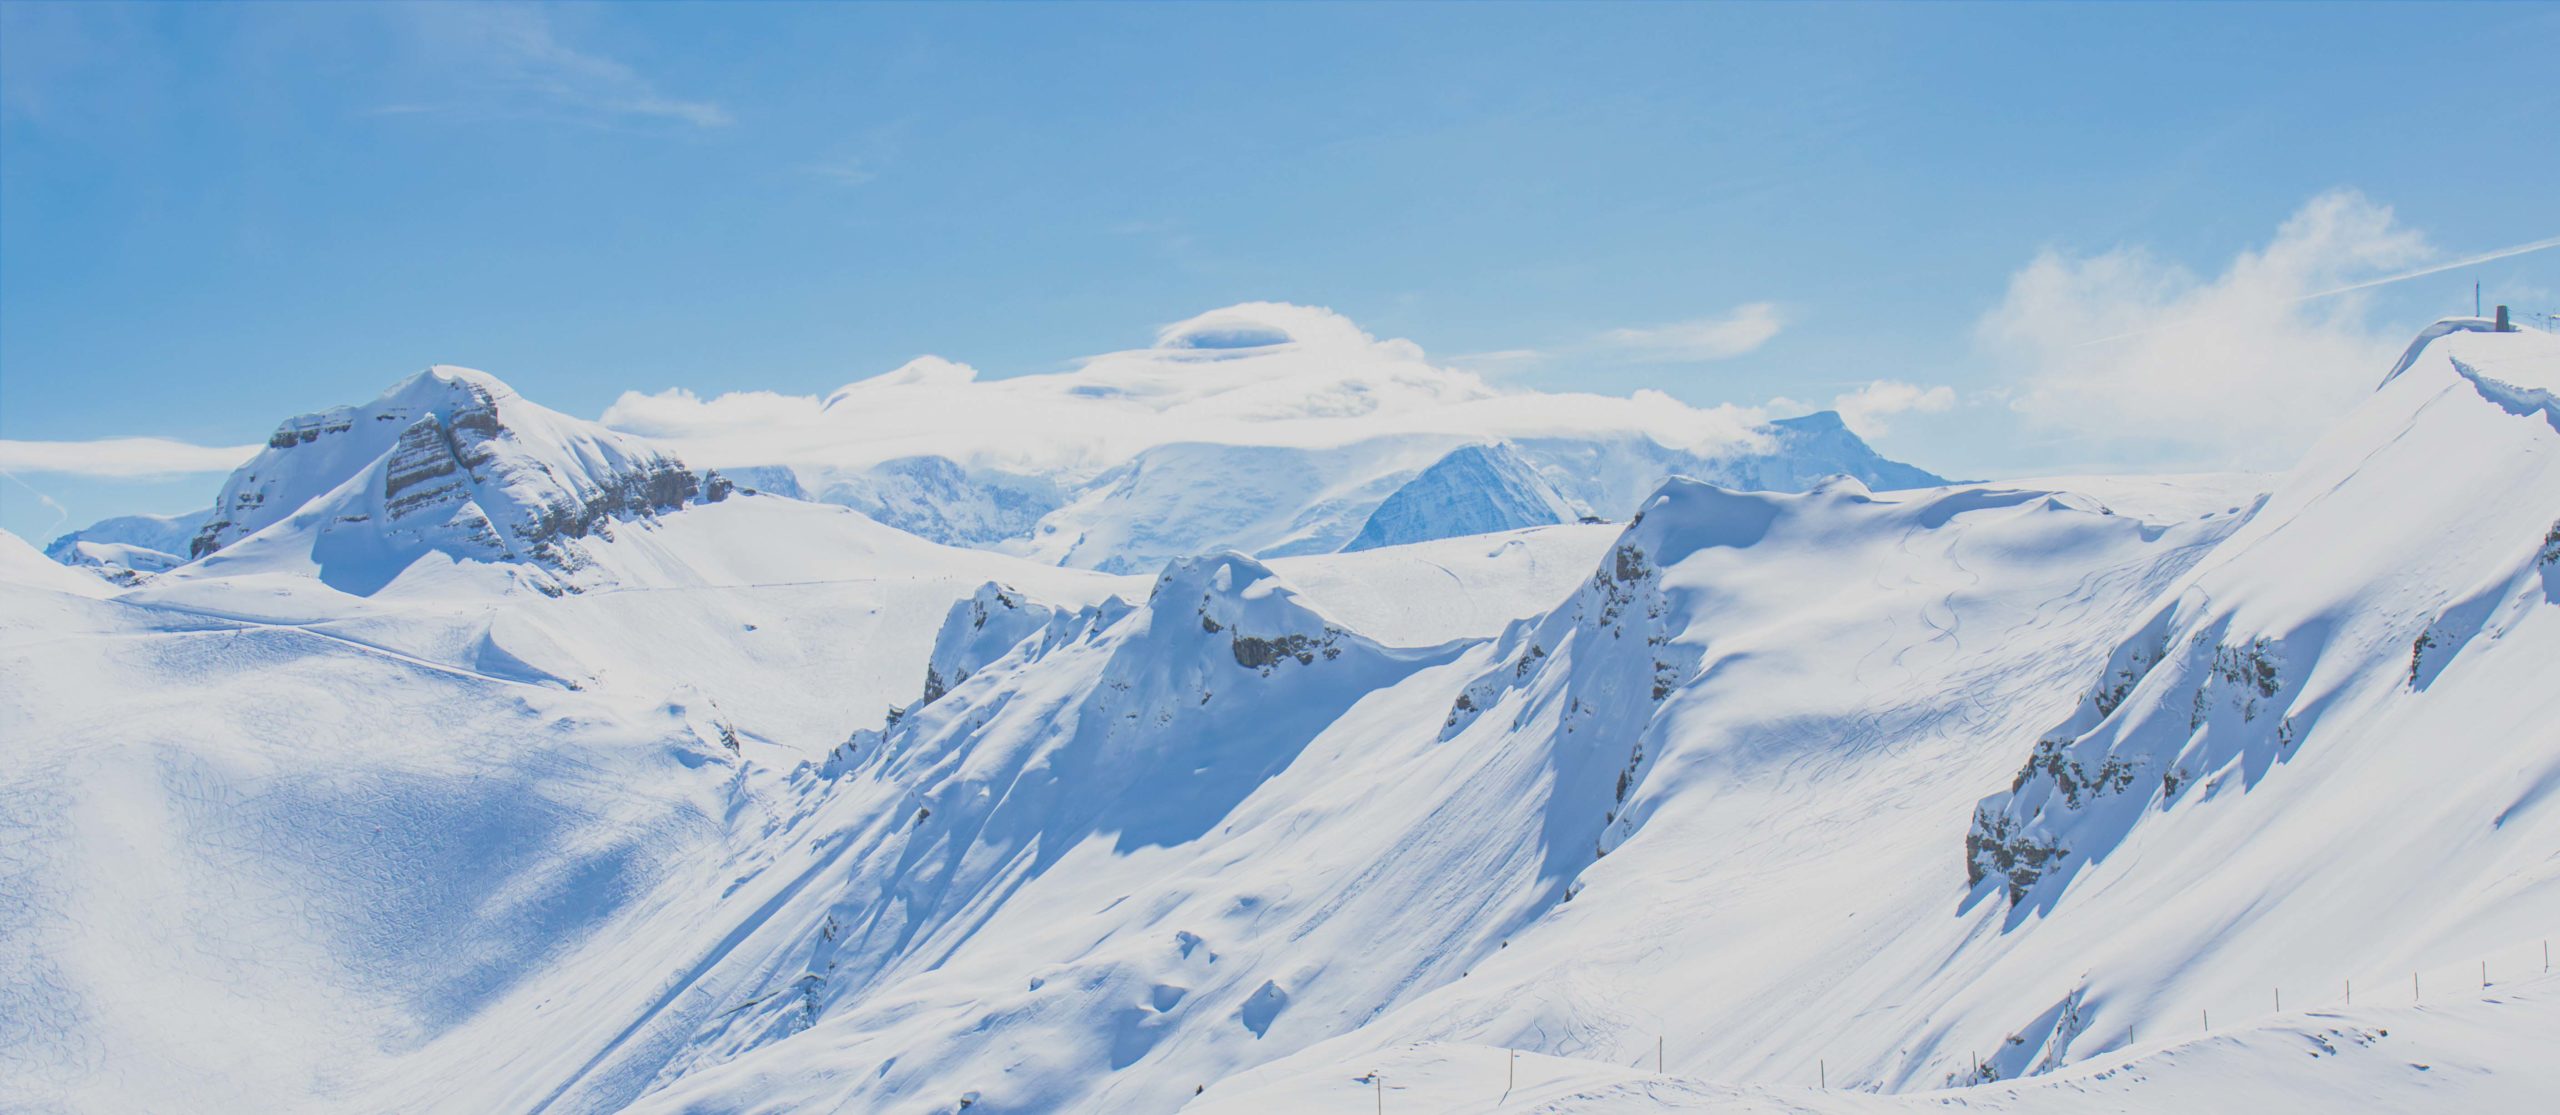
pixel 1263 428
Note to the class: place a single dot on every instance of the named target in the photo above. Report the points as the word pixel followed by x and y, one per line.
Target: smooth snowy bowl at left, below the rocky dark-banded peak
pixel 268 843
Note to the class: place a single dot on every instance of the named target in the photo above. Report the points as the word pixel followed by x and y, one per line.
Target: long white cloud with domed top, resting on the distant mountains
pixel 1253 375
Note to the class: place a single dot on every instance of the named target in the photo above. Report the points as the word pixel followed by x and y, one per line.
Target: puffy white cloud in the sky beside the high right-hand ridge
pixel 2147 359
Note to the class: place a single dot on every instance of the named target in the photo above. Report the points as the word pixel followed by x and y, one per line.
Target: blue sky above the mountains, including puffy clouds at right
pixel 219 216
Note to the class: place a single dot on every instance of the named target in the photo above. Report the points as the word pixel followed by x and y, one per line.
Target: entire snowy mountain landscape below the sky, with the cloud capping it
pixel 1294 728
